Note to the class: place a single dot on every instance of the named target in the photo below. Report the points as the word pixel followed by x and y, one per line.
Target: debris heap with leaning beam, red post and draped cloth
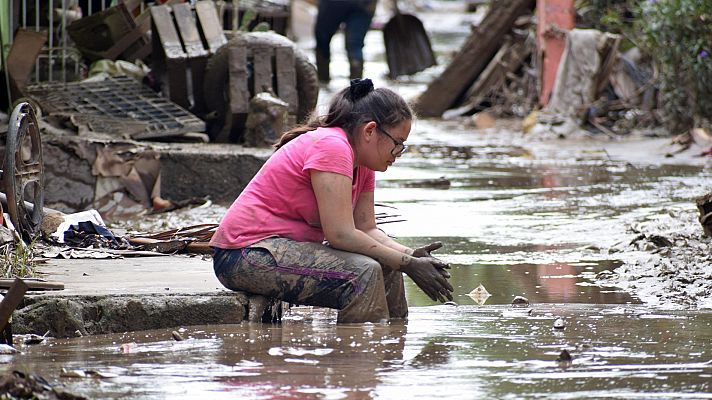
pixel 516 64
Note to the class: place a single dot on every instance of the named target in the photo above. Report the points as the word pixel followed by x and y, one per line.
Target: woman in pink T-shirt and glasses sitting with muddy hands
pixel 318 185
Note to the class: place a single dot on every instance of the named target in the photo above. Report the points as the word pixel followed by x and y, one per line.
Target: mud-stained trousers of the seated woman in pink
pixel 317 275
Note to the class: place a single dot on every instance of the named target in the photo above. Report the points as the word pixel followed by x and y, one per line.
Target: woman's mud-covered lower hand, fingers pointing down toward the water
pixel 427 273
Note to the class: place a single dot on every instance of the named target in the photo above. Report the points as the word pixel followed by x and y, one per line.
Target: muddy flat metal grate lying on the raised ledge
pixel 118 105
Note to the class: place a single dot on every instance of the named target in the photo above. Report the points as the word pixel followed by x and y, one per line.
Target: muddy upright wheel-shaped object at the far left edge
pixel 23 171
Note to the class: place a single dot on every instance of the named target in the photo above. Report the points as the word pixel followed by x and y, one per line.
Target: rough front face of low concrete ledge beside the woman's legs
pixel 70 316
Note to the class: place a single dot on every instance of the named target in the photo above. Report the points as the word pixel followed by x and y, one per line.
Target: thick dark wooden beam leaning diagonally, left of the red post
pixel 482 44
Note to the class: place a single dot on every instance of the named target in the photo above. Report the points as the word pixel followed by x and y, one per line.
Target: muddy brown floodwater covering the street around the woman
pixel 521 219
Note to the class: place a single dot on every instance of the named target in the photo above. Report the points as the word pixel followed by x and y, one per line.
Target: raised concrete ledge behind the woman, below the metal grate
pixel 78 179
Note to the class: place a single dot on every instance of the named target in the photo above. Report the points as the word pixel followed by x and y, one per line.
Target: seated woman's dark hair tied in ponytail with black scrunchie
pixel 355 105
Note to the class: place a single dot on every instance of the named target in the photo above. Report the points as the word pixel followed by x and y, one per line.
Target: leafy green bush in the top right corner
pixel 677 35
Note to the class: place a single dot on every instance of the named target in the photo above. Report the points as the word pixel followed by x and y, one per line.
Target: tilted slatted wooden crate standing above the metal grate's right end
pixel 180 52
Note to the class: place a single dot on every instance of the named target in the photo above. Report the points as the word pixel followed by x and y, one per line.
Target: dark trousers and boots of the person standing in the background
pixel 356 15
